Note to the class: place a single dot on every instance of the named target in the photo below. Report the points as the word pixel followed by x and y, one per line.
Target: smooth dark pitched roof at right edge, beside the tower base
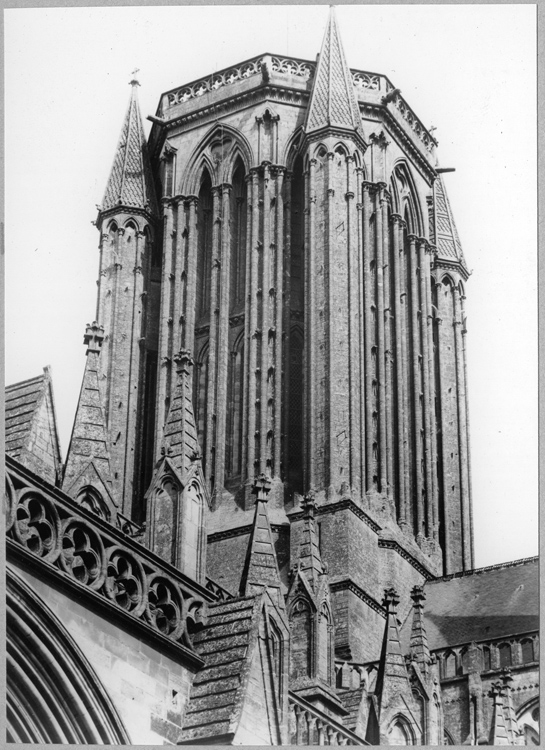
pixel 481 605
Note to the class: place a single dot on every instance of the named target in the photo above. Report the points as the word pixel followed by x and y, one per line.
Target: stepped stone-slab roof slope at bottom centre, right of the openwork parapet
pixel 223 644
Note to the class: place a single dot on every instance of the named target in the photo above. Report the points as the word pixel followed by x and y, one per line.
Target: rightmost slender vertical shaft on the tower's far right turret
pixel 462 434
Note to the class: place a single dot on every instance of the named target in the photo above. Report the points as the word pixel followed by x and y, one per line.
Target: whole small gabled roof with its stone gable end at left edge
pixel 30 425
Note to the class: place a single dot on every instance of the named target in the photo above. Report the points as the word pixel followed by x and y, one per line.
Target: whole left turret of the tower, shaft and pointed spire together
pixel 126 221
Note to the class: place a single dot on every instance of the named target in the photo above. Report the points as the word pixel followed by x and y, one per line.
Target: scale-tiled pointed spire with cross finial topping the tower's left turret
pixel 130 183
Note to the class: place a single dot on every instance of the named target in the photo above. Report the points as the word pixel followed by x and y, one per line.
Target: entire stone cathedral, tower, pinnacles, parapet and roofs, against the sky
pixel 262 530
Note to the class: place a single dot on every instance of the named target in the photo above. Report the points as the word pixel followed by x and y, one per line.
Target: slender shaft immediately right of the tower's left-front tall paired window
pixel 252 341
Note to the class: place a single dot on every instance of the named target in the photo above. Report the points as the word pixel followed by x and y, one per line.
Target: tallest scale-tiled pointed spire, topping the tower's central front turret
pixel 332 99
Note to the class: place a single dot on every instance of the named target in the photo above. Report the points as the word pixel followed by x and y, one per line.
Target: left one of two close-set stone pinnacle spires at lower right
pixel 392 678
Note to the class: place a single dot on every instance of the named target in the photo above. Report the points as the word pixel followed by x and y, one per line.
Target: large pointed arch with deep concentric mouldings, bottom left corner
pixel 53 693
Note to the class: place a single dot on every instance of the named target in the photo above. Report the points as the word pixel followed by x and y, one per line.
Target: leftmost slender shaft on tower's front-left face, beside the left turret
pixel 164 361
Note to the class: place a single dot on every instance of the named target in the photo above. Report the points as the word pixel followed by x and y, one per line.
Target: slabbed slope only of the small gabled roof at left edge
pixel 22 401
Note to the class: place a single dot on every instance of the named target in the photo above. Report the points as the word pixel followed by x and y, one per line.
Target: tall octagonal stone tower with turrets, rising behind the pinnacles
pixel 287 227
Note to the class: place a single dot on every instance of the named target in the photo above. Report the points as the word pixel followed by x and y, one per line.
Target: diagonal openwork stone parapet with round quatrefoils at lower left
pixel 47 527
